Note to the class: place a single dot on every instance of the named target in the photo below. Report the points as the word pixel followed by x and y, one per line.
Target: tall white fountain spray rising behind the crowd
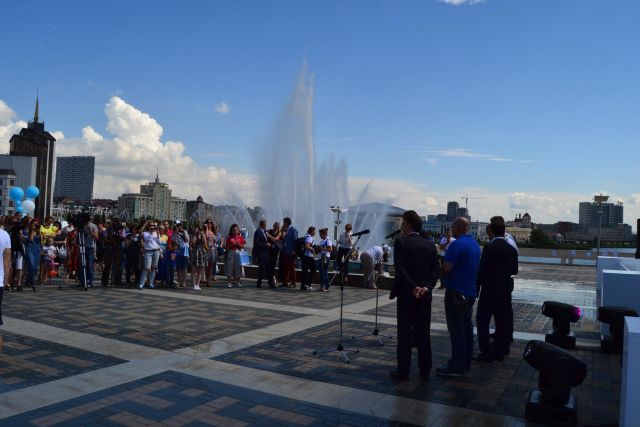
pixel 296 184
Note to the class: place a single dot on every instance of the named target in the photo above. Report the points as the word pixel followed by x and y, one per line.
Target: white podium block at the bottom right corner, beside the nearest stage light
pixel 629 408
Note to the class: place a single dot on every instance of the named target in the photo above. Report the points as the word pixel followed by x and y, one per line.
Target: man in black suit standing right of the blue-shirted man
pixel 499 262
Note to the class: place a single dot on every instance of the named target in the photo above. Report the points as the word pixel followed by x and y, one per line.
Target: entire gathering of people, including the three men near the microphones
pixel 159 253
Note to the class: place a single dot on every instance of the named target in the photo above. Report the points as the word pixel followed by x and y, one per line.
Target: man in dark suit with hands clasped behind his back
pixel 417 270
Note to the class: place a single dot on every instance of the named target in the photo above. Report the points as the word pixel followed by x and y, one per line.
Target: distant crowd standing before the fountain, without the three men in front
pixel 162 253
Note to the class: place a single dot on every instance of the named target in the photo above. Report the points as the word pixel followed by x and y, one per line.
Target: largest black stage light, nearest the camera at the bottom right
pixel 558 371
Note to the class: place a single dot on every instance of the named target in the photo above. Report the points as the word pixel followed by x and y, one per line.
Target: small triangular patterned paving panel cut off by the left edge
pixel 26 361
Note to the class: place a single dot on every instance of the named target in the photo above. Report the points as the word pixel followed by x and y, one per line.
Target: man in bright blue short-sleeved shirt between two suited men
pixel 460 269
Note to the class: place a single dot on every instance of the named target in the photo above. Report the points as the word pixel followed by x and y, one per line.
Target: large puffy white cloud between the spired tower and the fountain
pixel 134 151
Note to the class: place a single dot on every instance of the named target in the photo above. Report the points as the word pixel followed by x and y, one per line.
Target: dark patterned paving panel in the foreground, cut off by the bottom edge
pixel 174 399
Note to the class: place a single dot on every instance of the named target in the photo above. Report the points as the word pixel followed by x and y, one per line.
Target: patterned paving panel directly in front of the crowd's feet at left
pixel 134 317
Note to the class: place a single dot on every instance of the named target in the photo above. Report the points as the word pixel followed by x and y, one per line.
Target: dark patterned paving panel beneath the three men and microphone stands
pixel 500 387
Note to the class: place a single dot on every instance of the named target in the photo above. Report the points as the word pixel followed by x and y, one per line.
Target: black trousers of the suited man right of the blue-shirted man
pixel 498 306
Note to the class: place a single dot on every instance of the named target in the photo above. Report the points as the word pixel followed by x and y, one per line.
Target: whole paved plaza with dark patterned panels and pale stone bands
pixel 244 356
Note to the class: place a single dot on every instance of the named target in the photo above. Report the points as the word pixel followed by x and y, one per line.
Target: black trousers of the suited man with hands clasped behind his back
pixel 414 322
